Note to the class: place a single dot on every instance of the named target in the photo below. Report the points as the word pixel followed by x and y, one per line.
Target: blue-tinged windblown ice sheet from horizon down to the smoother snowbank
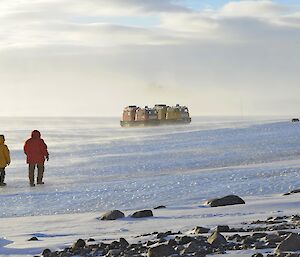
pixel 97 166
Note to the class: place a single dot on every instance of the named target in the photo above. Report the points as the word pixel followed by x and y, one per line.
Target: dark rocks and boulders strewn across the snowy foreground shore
pixel 275 236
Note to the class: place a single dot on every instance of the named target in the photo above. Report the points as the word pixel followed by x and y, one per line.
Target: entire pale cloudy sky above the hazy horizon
pixel 94 57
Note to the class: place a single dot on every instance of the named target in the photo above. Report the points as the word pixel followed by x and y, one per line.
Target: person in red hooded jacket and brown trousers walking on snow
pixel 36 153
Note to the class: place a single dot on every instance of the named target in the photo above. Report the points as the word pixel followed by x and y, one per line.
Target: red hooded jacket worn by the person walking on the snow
pixel 35 149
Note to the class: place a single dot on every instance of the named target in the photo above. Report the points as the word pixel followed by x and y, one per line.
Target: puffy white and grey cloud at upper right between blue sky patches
pixel 236 22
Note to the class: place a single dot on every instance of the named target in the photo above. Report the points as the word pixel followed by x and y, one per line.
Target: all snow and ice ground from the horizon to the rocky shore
pixel 97 166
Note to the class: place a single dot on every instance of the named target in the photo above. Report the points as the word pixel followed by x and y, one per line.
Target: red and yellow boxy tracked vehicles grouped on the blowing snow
pixel 158 115
